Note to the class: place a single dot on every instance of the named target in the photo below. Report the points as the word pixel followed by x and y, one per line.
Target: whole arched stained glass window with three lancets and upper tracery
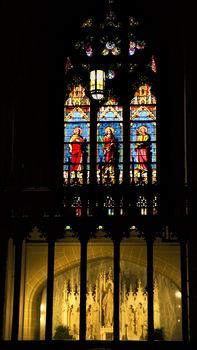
pixel 107 50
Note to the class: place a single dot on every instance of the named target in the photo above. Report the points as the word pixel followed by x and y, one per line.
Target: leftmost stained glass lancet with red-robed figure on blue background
pixel 76 137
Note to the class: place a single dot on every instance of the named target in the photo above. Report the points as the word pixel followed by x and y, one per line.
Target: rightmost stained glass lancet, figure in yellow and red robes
pixel 143 137
